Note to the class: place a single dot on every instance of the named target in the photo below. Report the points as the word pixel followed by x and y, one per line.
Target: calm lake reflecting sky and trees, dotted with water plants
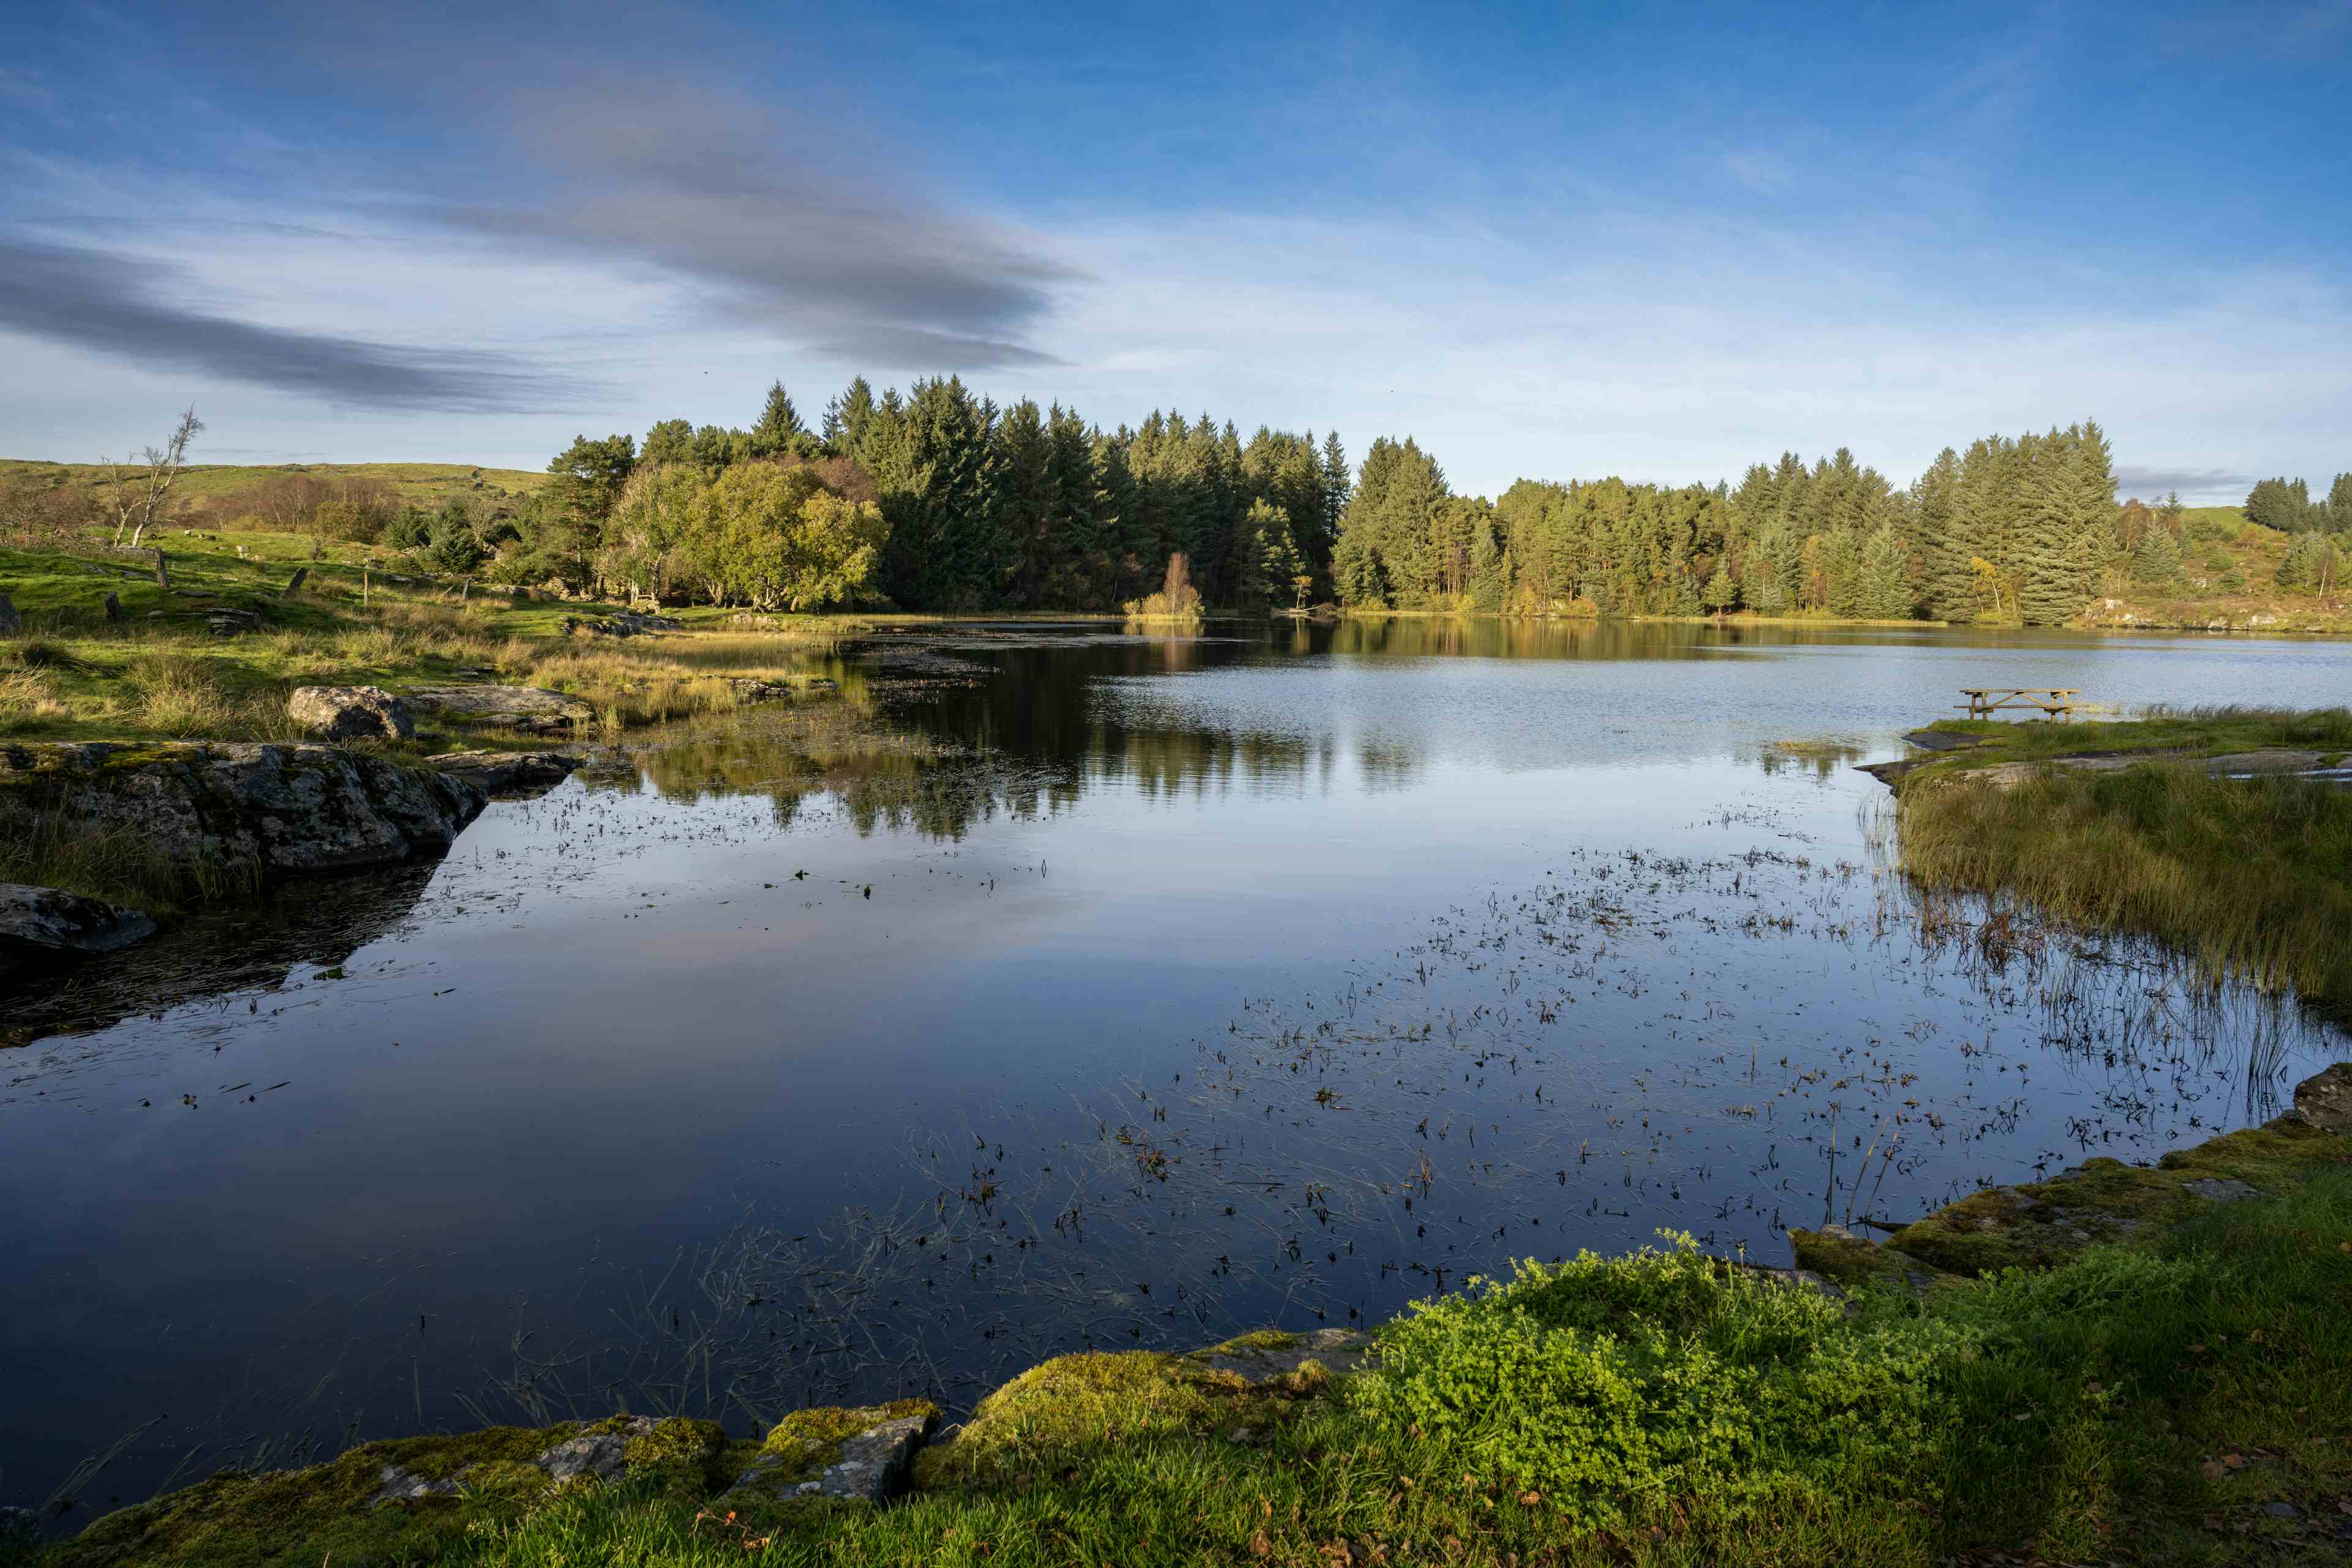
pixel 1130 991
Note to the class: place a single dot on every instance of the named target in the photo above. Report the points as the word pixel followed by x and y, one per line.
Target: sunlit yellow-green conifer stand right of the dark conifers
pixel 2017 530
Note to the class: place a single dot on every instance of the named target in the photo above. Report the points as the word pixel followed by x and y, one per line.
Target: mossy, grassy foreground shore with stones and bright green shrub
pixel 2123 1362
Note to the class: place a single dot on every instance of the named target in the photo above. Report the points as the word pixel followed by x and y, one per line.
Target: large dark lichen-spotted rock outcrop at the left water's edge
pixel 269 808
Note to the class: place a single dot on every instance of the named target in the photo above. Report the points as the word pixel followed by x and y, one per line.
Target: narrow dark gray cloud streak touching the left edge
pixel 116 304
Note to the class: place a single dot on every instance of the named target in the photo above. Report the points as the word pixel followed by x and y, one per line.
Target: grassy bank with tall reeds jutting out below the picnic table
pixel 2247 876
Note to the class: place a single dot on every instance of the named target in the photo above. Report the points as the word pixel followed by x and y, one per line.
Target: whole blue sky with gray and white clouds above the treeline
pixel 1556 243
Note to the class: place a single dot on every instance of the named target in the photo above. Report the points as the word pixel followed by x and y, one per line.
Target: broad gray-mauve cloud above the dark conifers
pixel 719 192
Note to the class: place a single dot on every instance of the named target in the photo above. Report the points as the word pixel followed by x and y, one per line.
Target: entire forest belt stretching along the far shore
pixel 942 500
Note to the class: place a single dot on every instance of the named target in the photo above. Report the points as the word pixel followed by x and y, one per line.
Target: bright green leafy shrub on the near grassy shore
pixel 1624 1388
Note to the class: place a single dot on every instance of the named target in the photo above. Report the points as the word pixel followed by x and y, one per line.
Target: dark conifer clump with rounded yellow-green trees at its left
pixel 933 500
